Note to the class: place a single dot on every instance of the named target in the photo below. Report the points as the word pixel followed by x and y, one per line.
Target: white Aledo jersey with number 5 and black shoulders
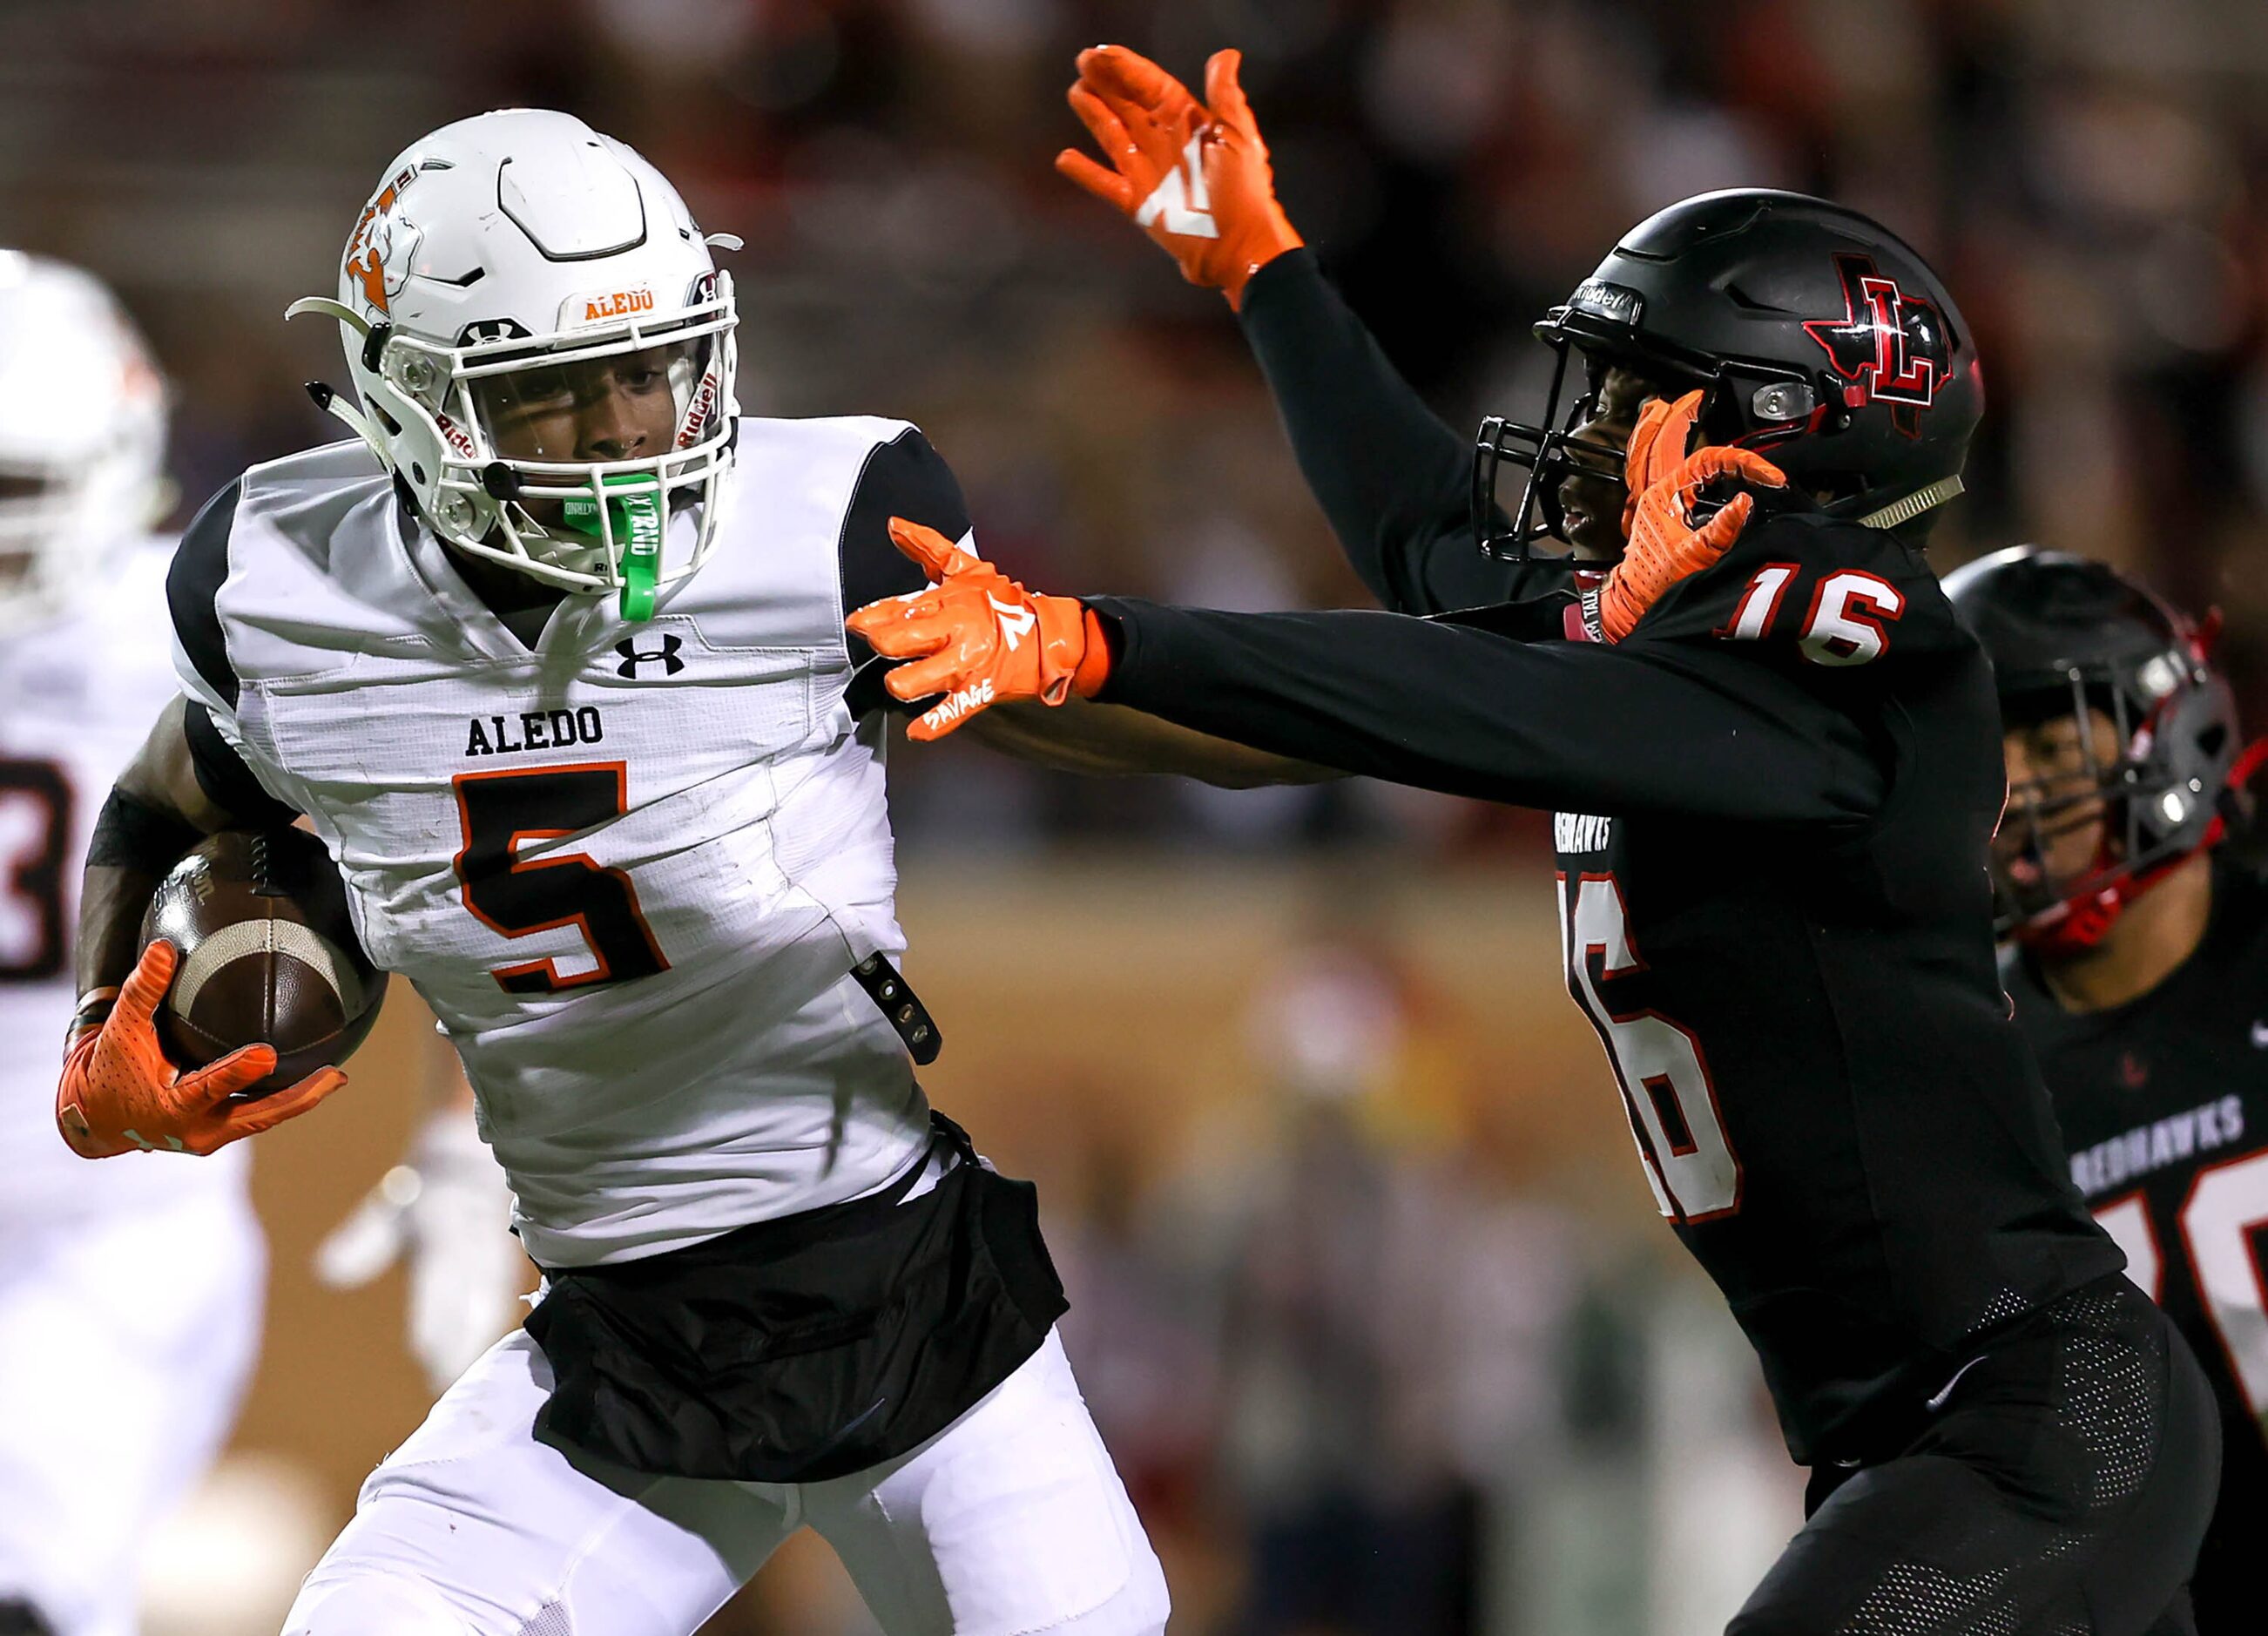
pixel 629 868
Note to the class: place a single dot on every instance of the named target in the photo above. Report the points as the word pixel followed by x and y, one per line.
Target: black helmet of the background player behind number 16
pixel 2070 636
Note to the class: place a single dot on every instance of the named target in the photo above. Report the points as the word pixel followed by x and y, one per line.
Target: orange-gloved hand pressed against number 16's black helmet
pixel 1666 541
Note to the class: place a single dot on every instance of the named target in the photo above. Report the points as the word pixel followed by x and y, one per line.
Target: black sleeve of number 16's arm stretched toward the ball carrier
pixel 1577 727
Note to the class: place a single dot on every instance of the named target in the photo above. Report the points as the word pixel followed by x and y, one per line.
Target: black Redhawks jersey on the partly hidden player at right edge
pixel 2165 1108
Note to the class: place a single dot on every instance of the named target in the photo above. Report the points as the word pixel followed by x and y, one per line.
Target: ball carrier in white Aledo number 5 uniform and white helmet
pixel 552 659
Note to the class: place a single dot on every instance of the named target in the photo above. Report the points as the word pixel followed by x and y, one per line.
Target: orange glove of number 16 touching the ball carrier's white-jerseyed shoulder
pixel 979 636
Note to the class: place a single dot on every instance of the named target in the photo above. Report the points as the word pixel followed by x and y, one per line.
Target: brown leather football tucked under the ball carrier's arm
pixel 266 956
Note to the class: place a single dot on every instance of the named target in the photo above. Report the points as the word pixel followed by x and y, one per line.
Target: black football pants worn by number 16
pixel 2060 1490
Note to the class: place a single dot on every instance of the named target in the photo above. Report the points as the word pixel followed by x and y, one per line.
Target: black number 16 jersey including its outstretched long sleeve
pixel 1775 804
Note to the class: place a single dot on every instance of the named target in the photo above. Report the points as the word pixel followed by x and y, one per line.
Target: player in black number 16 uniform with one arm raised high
pixel 1777 768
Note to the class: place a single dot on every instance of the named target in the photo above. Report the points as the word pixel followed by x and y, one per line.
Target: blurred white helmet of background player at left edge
pixel 83 432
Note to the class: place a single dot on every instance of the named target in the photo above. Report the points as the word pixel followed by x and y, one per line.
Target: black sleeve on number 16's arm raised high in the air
pixel 1387 471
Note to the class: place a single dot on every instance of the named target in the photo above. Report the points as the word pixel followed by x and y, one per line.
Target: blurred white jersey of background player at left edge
pixel 78 695
